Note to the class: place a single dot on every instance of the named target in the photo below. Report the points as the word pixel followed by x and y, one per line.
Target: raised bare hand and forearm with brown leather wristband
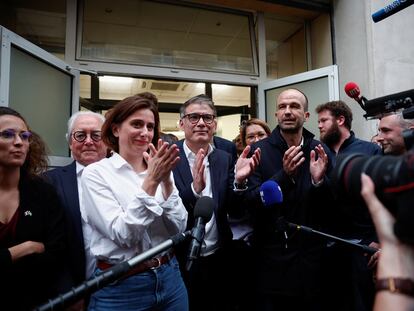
pixel 394 290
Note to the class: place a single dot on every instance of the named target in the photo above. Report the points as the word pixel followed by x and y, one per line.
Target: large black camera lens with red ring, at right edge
pixel 394 185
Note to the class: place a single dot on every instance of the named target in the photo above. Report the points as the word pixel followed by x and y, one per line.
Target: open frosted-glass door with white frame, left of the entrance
pixel 40 86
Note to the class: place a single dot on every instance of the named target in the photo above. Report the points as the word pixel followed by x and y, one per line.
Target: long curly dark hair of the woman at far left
pixel 36 160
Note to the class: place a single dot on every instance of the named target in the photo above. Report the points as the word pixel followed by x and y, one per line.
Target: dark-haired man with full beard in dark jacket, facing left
pixel 347 269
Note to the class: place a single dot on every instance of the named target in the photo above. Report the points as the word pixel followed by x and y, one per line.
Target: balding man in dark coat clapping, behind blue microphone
pixel 288 263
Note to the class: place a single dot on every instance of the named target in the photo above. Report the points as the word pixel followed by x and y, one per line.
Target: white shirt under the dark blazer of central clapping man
pixel 210 241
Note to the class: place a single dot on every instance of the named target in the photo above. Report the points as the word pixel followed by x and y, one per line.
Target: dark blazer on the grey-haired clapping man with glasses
pixel 222 178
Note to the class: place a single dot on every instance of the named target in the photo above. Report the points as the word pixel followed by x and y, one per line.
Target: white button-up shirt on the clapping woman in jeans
pixel 126 221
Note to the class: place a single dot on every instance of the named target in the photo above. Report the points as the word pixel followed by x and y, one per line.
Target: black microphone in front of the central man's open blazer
pixel 203 211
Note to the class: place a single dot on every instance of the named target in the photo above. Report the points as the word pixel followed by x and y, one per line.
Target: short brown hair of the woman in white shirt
pixel 122 110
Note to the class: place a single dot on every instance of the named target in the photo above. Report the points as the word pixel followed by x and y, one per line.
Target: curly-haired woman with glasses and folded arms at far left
pixel 31 218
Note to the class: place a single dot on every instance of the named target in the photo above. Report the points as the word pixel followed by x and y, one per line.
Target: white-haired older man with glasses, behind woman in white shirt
pixel 84 138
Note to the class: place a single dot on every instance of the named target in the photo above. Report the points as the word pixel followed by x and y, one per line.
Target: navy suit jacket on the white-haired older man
pixel 65 181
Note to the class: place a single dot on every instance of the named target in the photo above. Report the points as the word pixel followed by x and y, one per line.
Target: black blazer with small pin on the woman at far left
pixel 32 279
